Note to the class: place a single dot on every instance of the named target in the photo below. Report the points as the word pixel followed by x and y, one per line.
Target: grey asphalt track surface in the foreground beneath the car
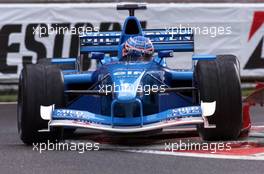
pixel 15 157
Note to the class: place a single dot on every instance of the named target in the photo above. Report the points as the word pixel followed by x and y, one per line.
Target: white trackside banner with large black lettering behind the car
pixel 220 29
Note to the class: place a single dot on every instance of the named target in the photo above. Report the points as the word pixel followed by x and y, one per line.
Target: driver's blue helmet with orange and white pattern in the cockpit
pixel 137 48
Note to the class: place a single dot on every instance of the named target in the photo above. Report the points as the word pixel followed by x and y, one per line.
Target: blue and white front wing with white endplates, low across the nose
pixel 83 119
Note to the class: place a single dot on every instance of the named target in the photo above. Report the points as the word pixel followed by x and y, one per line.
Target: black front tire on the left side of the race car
pixel 38 85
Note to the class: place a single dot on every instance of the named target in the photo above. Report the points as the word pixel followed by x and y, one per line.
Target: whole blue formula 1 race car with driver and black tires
pixel 132 92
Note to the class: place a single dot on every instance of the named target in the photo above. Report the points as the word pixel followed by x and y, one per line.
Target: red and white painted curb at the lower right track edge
pixel 250 148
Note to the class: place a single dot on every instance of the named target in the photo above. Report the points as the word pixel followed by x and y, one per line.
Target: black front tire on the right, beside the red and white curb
pixel 219 81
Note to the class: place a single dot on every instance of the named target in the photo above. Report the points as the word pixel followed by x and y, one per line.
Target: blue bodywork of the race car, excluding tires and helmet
pixel 113 105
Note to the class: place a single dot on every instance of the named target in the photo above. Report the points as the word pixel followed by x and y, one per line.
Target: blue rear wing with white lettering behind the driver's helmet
pixel 178 41
